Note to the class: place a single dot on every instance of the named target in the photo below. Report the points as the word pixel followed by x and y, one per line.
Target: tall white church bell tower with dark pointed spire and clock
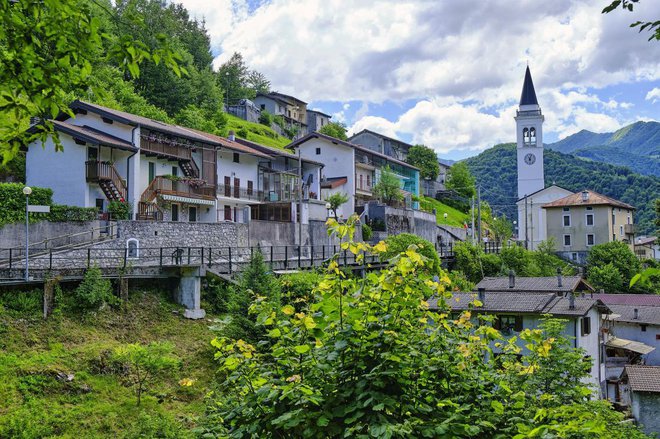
pixel 529 134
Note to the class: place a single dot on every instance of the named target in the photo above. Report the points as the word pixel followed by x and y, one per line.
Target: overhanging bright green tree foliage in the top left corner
pixel 48 50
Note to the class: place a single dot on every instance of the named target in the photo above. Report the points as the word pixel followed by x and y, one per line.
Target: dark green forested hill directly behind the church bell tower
pixel 495 170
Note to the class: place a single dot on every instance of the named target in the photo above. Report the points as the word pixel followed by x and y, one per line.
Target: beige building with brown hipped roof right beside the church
pixel 584 219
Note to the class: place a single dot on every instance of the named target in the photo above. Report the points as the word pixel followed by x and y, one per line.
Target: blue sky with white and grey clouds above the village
pixel 447 74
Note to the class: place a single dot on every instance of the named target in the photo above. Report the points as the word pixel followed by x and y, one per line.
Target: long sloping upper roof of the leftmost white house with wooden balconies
pixel 133 119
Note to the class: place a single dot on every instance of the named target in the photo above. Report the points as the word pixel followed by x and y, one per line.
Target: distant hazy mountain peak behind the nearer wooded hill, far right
pixel 636 146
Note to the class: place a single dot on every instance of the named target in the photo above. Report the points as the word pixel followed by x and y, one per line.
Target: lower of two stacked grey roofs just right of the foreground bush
pixel 522 303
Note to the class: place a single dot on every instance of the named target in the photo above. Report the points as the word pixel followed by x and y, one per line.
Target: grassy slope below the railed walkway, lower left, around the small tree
pixel 36 401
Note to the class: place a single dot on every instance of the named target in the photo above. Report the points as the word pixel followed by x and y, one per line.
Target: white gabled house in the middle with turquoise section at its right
pixel 354 170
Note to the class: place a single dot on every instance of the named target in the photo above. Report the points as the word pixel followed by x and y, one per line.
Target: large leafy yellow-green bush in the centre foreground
pixel 368 358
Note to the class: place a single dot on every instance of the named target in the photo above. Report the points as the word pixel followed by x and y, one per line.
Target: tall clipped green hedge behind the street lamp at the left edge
pixel 12 203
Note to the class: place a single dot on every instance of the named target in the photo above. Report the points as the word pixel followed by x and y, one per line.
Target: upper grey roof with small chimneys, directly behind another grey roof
pixel 535 284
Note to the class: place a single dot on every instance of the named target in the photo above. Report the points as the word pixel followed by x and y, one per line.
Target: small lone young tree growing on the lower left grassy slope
pixel 145 364
